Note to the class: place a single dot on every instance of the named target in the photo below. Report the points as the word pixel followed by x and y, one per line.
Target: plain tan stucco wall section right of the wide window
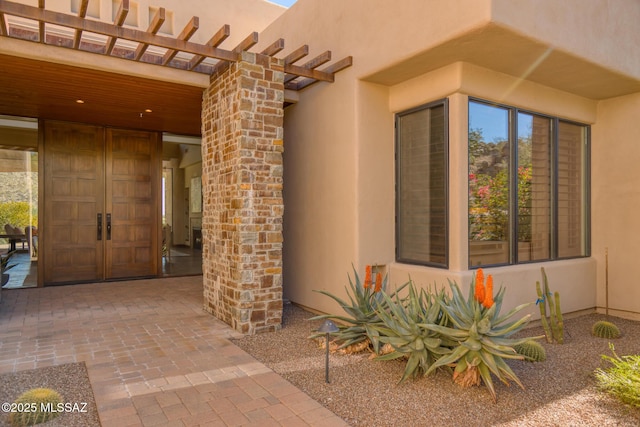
pixel 615 193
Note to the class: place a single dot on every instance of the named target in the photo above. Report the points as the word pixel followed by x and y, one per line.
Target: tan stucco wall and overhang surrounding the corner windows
pixel 340 210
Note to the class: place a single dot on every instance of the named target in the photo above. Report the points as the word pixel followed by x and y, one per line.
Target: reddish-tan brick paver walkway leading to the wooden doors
pixel 154 357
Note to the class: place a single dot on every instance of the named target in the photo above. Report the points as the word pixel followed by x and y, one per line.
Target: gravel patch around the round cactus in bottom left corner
pixel 70 380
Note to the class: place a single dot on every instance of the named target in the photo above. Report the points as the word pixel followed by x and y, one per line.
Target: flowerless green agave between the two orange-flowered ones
pixel 401 328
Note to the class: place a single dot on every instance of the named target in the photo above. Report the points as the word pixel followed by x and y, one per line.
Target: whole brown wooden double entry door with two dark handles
pixel 101 208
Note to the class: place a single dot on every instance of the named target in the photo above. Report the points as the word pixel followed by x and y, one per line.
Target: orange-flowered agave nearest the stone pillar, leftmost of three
pixel 364 298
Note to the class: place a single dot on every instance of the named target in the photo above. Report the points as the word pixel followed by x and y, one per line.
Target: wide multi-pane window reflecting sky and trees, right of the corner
pixel 528 192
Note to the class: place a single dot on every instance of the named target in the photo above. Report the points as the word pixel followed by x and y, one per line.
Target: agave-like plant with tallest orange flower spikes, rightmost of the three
pixel 482 335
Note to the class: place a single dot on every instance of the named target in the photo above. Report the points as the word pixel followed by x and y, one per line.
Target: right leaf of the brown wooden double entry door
pixel 132 195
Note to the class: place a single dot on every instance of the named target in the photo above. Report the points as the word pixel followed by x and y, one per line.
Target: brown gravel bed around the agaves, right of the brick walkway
pixel 558 392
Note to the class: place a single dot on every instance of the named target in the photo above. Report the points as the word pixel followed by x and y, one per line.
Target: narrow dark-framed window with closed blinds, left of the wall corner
pixel 421 177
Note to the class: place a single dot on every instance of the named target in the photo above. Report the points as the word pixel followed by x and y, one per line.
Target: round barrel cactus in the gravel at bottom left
pixel 33 406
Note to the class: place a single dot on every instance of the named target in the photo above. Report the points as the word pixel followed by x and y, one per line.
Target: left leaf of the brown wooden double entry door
pixel 73 196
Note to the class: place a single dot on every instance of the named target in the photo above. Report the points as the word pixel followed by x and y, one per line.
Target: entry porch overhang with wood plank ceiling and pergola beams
pixel 110 91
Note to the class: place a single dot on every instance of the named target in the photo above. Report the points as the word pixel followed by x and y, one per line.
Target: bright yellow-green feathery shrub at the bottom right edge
pixel 622 379
